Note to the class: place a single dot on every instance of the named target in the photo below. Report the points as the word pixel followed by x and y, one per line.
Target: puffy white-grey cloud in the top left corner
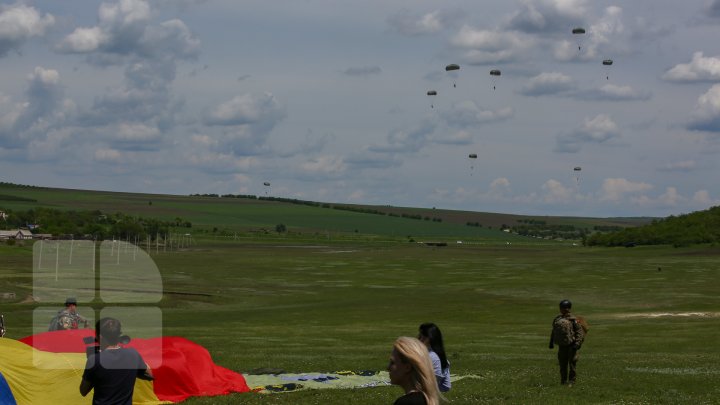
pixel 19 23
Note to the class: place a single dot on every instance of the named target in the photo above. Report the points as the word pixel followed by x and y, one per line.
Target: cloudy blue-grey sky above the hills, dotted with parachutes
pixel 326 100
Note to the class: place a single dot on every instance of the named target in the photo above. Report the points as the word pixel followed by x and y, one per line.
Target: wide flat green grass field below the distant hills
pixel 328 305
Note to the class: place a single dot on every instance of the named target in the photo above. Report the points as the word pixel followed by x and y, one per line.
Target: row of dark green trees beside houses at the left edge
pixel 89 224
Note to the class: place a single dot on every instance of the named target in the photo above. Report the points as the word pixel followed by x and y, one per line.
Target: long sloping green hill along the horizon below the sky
pixel 230 215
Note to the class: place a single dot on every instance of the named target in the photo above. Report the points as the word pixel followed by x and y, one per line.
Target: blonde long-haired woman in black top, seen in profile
pixel 410 368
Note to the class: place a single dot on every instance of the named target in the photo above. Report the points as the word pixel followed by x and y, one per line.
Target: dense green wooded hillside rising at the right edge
pixel 682 230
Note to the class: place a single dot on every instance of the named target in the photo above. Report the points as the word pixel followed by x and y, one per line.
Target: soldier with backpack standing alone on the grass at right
pixel 568 334
